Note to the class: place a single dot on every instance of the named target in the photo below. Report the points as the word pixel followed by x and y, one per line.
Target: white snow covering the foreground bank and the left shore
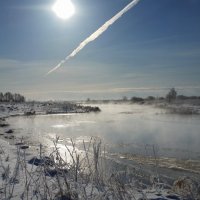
pixel 21 180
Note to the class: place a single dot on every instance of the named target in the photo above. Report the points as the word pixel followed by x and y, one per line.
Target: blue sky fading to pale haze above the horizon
pixel 153 47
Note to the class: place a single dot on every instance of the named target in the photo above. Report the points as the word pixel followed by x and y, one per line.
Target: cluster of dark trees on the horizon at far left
pixel 9 97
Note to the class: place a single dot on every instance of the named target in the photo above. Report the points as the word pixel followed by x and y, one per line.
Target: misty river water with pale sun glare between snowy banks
pixel 122 127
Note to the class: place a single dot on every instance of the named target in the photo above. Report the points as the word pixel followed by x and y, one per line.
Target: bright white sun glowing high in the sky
pixel 63 9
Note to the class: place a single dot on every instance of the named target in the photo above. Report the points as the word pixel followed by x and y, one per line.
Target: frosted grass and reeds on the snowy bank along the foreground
pixel 75 174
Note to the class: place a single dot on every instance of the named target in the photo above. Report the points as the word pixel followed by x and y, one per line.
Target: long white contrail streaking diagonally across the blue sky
pixel 96 34
